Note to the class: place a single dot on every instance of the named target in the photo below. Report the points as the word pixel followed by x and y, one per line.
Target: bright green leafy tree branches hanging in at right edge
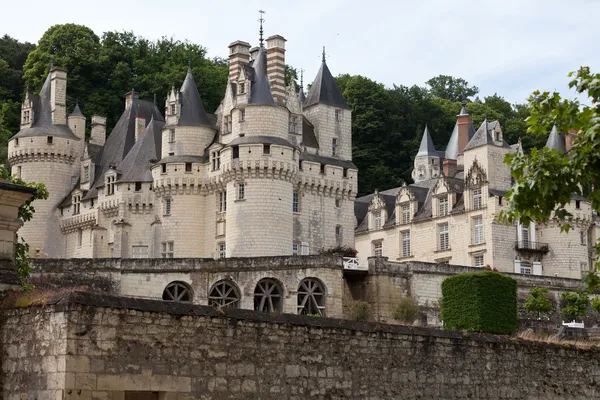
pixel 545 180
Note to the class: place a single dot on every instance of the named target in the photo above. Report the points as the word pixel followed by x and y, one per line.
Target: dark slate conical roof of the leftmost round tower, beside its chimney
pixel 42 117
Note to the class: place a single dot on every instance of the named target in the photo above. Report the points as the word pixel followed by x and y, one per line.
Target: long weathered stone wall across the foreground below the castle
pixel 109 348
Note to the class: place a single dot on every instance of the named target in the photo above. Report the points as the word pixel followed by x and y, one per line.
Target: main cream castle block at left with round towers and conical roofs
pixel 270 173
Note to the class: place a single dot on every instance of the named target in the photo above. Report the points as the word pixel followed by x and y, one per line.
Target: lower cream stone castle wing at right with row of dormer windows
pixel 448 215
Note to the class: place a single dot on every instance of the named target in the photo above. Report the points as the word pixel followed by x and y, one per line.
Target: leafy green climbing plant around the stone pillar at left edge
pixel 25 213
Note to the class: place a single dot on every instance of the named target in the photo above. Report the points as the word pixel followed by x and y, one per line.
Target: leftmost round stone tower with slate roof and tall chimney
pixel 46 150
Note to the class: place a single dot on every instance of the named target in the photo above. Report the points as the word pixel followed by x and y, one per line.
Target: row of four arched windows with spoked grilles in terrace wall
pixel 268 295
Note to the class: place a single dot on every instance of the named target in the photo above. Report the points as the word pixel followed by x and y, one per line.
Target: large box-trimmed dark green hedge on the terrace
pixel 481 301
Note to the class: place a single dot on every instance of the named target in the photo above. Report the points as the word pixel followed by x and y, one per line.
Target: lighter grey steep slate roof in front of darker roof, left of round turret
pixel 135 167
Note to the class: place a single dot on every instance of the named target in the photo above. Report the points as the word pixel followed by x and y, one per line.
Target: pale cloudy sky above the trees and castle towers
pixel 509 47
